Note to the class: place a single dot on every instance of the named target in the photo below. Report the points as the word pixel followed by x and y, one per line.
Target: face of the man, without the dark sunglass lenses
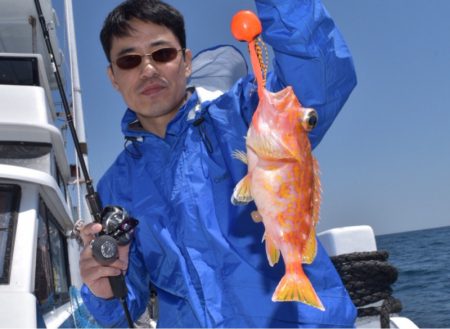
pixel 153 90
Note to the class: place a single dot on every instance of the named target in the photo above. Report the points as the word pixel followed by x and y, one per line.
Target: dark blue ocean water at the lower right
pixel 423 285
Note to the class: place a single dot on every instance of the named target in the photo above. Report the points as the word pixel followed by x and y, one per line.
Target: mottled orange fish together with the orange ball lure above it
pixel 282 179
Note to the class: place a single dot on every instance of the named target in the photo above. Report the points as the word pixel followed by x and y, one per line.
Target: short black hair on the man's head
pixel 117 23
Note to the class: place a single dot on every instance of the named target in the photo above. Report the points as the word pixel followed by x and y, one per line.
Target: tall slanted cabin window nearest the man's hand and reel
pixel 52 275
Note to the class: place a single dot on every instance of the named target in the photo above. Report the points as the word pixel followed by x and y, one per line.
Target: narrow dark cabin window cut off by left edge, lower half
pixel 9 207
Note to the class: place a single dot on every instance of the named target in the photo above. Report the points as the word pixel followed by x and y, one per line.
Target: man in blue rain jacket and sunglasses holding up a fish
pixel 203 255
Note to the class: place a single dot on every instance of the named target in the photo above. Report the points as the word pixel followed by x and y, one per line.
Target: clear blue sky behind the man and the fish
pixel 385 161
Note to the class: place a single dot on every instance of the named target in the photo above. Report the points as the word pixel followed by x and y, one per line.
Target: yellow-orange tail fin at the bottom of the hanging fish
pixel 295 286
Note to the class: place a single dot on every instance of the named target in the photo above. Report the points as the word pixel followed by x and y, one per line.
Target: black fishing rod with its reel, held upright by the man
pixel 117 225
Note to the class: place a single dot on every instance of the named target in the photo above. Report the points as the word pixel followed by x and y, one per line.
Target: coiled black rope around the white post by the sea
pixel 368 278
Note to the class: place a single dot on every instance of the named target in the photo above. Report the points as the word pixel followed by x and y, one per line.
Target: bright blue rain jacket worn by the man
pixel 203 255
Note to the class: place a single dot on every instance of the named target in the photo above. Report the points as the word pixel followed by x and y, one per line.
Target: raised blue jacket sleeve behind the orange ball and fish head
pixel 310 55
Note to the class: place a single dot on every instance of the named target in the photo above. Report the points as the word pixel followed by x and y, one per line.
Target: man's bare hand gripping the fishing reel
pixel 94 275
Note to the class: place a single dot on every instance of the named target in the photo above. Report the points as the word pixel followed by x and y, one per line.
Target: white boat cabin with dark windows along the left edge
pixel 38 260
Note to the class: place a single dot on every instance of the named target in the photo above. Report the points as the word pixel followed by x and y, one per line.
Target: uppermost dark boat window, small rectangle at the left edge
pixel 22 71
